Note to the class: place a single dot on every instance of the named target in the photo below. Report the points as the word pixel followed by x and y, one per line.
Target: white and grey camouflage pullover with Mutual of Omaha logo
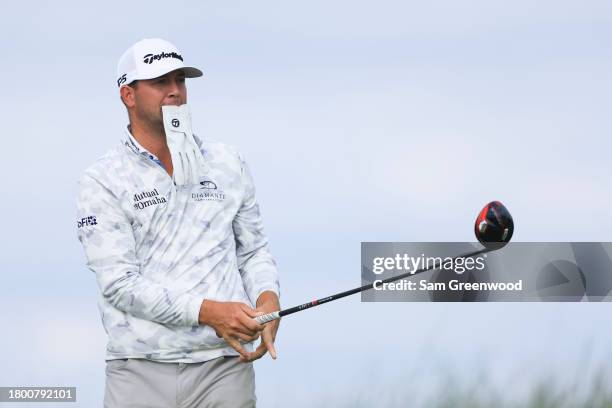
pixel 158 250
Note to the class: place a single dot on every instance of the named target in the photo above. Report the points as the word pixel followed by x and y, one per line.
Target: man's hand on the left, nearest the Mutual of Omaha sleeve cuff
pixel 233 321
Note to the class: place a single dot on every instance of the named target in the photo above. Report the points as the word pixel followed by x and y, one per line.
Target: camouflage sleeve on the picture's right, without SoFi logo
pixel 255 262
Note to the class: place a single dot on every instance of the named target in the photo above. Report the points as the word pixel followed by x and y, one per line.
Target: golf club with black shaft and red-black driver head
pixel 493 228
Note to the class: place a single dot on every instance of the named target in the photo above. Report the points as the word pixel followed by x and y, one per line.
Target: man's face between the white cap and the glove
pixel 151 94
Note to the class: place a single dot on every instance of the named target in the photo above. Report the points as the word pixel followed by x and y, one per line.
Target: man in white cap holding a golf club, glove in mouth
pixel 171 228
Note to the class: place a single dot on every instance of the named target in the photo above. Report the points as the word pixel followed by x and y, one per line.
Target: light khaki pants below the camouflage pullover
pixel 220 383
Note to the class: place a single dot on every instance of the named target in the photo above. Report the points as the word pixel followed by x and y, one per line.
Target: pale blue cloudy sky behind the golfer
pixel 361 121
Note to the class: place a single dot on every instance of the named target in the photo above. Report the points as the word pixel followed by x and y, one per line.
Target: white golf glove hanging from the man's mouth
pixel 187 160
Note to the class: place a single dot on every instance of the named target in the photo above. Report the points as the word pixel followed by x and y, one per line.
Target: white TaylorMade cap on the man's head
pixel 151 58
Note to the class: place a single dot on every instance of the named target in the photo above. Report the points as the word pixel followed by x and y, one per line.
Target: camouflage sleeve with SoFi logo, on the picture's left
pixel 106 234
